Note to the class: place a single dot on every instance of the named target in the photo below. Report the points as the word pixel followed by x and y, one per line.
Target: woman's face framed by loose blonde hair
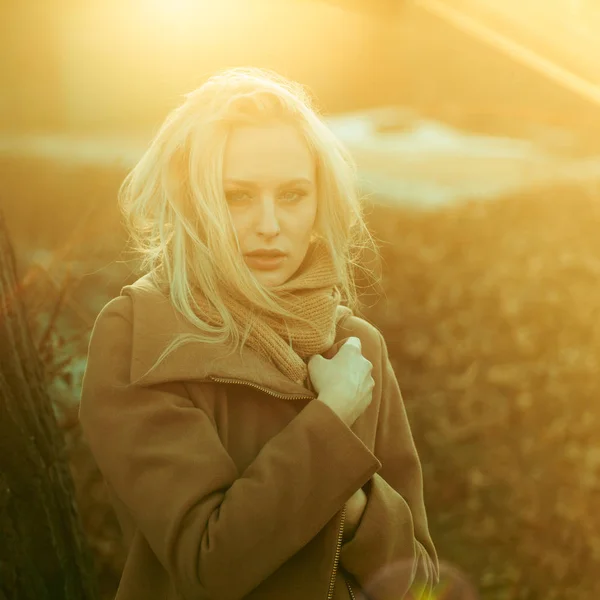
pixel 269 178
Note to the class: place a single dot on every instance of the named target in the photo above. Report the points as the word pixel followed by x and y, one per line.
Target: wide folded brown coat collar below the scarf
pixel 156 323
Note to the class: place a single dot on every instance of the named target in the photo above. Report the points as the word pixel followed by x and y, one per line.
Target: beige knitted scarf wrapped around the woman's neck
pixel 312 293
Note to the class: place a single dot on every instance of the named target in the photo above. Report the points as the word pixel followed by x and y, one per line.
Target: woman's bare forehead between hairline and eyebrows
pixel 267 154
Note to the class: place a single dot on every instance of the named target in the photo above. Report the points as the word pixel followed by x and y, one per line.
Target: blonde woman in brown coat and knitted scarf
pixel 249 427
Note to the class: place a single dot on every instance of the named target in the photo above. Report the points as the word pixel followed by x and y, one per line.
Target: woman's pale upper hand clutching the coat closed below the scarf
pixel 344 382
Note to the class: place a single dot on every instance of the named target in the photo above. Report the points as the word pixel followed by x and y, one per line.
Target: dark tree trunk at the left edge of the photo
pixel 43 552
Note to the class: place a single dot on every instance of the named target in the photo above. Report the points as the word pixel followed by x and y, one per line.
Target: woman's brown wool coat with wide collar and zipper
pixel 229 480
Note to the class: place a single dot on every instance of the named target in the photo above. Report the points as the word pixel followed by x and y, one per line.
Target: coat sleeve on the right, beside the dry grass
pixel 392 551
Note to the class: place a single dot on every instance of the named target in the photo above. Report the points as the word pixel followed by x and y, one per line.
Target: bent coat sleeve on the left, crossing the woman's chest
pixel 217 532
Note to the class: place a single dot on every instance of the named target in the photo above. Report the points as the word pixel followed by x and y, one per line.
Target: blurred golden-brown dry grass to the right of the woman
pixel 492 319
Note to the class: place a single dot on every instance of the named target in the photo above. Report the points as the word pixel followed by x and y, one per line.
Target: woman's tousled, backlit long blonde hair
pixel 174 207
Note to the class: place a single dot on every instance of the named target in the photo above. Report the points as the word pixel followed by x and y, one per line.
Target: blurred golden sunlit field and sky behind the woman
pixel 476 128
